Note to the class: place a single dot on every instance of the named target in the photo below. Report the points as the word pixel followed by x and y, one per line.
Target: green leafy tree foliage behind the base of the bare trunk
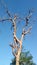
pixel 25 59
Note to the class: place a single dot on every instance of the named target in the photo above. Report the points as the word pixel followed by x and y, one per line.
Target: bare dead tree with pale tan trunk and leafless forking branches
pixel 17 45
